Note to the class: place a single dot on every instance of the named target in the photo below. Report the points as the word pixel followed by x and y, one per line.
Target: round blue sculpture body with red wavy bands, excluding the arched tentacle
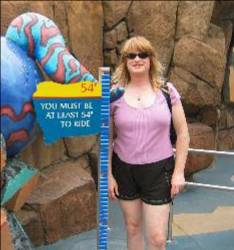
pixel 19 77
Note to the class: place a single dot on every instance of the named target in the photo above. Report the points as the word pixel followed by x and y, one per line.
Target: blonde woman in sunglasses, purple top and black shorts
pixel 143 174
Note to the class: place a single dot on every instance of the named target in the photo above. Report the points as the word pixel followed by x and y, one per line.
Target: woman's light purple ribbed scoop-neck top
pixel 143 133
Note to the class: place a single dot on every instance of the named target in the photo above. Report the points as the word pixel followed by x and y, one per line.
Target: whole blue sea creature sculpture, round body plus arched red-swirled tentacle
pixel 29 38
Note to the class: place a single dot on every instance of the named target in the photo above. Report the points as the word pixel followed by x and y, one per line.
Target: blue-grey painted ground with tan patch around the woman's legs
pixel 203 218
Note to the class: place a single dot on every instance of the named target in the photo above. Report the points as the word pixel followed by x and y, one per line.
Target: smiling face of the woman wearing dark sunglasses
pixel 138 63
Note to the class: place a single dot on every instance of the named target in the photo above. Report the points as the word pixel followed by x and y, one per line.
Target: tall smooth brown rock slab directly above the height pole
pixel 85 22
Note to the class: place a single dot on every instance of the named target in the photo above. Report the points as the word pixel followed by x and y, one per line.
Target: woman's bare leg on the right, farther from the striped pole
pixel 156 223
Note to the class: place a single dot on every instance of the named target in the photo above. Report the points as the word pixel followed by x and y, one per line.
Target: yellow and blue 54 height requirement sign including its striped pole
pixel 80 109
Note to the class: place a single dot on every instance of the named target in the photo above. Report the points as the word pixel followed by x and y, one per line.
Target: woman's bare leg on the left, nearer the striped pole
pixel 132 211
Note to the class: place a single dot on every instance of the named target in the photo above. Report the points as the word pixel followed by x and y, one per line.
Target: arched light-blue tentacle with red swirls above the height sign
pixel 43 41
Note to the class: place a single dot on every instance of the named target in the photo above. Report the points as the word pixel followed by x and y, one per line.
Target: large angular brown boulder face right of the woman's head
pixel 200 59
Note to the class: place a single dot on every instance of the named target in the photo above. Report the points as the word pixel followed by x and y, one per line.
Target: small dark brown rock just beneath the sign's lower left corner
pixel 40 155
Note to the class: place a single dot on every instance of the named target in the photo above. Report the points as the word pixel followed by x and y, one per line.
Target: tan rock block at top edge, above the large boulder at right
pixel 194 18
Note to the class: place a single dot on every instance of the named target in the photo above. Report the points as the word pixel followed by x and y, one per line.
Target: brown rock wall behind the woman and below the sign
pixel 193 41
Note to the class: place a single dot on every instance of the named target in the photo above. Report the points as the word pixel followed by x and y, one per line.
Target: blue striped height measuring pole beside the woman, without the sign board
pixel 103 205
